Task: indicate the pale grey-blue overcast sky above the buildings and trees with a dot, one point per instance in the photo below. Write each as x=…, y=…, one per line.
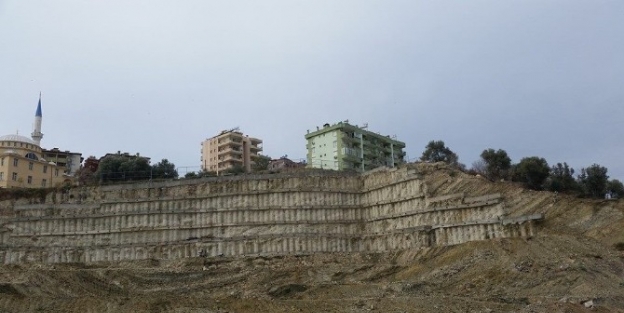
x=535, y=78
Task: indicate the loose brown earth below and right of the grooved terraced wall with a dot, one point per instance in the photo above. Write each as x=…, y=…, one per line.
x=575, y=263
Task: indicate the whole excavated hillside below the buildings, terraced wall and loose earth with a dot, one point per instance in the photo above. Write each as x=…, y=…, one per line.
x=417, y=238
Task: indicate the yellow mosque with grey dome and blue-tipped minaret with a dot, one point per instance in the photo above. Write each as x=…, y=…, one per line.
x=23, y=163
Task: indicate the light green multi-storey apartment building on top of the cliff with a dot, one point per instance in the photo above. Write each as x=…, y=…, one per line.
x=343, y=146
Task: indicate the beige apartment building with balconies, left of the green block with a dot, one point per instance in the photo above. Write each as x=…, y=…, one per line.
x=229, y=149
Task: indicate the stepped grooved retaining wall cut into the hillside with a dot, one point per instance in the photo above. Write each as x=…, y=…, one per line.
x=297, y=213
